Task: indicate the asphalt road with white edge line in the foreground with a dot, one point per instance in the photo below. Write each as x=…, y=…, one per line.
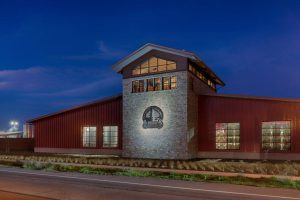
x=34, y=184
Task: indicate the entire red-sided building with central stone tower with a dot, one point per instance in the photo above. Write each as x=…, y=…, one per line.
x=170, y=109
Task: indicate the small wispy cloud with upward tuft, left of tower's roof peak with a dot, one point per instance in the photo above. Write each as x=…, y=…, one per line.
x=103, y=53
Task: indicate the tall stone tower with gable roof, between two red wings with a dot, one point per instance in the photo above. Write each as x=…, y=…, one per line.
x=160, y=101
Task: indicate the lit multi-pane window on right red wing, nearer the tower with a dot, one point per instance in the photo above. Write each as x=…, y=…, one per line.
x=227, y=136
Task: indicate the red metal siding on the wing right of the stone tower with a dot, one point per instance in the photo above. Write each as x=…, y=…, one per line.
x=250, y=113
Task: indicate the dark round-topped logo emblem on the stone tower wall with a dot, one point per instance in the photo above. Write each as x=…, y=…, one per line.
x=153, y=118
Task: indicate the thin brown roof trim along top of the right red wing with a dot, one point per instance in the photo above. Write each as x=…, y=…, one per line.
x=292, y=100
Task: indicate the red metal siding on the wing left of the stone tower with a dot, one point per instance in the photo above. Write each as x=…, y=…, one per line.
x=64, y=130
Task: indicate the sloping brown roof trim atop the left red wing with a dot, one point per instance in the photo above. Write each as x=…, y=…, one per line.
x=103, y=100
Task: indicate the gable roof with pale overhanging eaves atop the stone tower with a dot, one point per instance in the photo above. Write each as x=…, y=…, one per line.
x=119, y=66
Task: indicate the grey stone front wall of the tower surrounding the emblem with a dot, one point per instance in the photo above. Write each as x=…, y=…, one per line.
x=169, y=142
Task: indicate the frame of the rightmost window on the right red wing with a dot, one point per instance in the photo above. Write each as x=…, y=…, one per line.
x=276, y=150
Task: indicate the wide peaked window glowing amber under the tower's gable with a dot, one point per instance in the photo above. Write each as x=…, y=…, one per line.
x=154, y=65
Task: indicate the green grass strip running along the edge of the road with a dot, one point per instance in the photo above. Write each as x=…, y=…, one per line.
x=239, y=180
